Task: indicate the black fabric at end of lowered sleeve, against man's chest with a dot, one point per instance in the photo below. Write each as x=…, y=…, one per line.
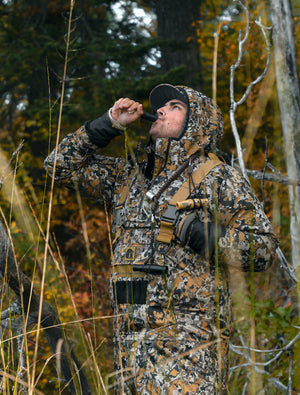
x=201, y=237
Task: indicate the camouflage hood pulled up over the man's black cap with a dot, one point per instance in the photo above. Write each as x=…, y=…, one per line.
x=202, y=129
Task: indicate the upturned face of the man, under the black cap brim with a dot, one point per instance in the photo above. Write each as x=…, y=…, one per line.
x=170, y=120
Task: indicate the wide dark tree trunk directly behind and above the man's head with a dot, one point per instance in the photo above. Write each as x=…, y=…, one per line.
x=177, y=24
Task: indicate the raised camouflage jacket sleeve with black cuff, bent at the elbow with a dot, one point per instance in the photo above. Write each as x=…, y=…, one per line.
x=77, y=165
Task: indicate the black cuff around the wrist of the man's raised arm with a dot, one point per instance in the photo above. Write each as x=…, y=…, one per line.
x=101, y=131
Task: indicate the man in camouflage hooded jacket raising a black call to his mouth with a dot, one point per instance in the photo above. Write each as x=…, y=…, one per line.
x=179, y=218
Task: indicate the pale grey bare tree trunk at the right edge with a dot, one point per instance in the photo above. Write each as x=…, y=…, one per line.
x=289, y=102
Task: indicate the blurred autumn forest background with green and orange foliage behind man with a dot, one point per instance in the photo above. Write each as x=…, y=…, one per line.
x=123, y=49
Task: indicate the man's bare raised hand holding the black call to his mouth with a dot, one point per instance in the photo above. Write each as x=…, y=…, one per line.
x=125, y=111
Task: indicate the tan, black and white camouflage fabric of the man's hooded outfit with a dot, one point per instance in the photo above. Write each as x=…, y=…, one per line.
x=171, y=330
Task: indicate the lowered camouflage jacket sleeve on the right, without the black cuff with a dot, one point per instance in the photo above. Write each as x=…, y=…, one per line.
x=249, y=242
